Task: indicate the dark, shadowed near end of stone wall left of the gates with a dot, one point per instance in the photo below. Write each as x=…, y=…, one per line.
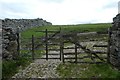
x=9, y=44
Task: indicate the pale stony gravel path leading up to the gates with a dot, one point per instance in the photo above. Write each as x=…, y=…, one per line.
x=40, y=69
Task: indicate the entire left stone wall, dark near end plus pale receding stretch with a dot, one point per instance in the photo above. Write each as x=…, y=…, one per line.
x=10, y=28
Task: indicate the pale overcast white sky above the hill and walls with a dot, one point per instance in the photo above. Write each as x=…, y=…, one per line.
x=61, y=12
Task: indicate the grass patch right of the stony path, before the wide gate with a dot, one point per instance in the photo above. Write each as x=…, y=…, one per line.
x=68, y=70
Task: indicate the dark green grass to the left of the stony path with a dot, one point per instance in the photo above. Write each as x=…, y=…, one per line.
x=9, y=68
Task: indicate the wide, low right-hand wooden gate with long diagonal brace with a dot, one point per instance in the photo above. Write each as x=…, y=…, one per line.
x=78, y=53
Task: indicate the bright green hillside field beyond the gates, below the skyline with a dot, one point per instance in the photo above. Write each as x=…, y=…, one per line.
x=103, y=27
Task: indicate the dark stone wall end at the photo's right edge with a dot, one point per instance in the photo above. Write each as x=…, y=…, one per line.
x=115, y=42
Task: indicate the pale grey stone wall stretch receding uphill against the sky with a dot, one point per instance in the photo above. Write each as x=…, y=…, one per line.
x=24, y=24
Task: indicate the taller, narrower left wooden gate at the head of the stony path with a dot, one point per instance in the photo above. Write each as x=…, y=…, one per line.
x=51, y=43
